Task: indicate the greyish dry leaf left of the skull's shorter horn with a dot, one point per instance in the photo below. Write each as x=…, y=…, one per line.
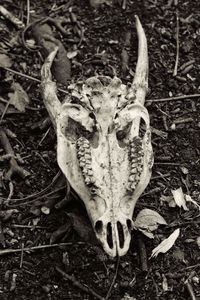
x=19, y=98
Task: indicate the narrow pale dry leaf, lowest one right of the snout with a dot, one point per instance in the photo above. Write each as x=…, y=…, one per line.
x=166, y=244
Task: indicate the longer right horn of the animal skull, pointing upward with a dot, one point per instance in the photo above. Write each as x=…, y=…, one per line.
x=140, y=81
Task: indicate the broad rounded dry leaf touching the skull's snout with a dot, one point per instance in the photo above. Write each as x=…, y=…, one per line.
x=148, y=220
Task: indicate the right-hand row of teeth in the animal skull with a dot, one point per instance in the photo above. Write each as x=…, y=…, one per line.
x=136, y=165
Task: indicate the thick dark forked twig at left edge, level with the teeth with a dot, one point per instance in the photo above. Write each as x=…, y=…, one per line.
x=14, y=167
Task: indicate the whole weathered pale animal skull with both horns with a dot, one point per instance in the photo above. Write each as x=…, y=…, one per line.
x=101, y=149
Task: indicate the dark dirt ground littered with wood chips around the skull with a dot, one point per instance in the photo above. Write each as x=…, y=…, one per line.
x=35, y=274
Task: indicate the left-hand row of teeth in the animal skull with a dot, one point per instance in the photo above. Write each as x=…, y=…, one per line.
x=85, y=160
